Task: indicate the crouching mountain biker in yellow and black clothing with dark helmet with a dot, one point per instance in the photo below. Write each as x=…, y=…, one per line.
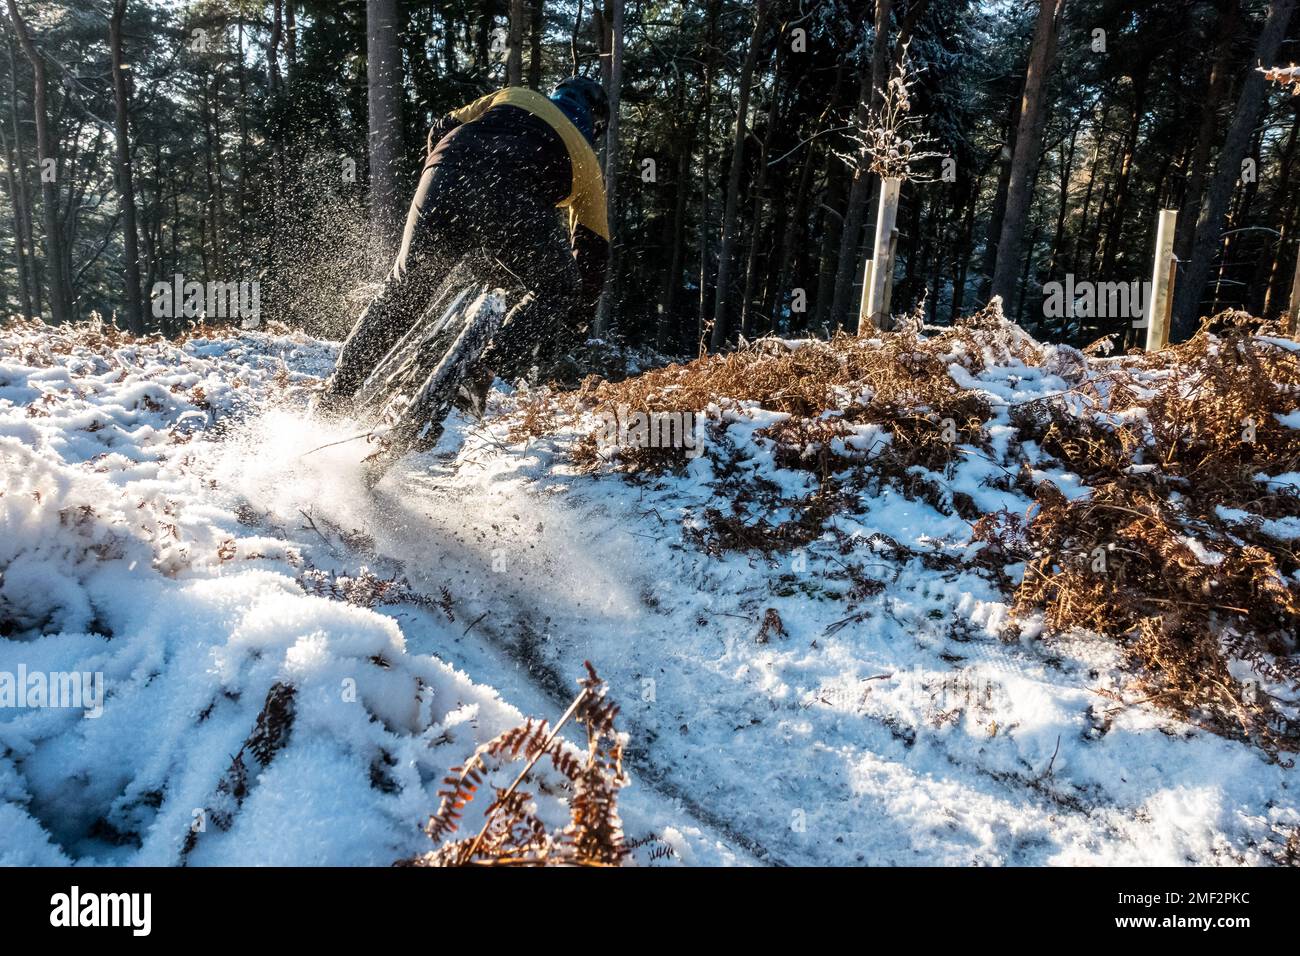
x=496, y=174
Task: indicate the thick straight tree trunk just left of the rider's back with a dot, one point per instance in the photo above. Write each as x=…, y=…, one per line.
x=384, y=84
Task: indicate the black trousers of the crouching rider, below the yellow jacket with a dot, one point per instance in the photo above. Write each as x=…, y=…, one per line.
x=463, y=209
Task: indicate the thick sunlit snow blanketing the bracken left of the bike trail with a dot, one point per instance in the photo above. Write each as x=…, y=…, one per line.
x=122, y=557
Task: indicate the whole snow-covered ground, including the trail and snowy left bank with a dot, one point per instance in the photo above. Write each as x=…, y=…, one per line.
x=174, y=520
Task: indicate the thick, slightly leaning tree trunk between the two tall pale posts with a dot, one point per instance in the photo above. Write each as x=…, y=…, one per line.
x=1029, y=137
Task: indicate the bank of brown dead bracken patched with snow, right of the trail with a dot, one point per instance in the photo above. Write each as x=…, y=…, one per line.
x=1182, y=547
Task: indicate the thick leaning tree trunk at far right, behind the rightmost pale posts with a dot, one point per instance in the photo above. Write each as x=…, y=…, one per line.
x=1188, y=296
